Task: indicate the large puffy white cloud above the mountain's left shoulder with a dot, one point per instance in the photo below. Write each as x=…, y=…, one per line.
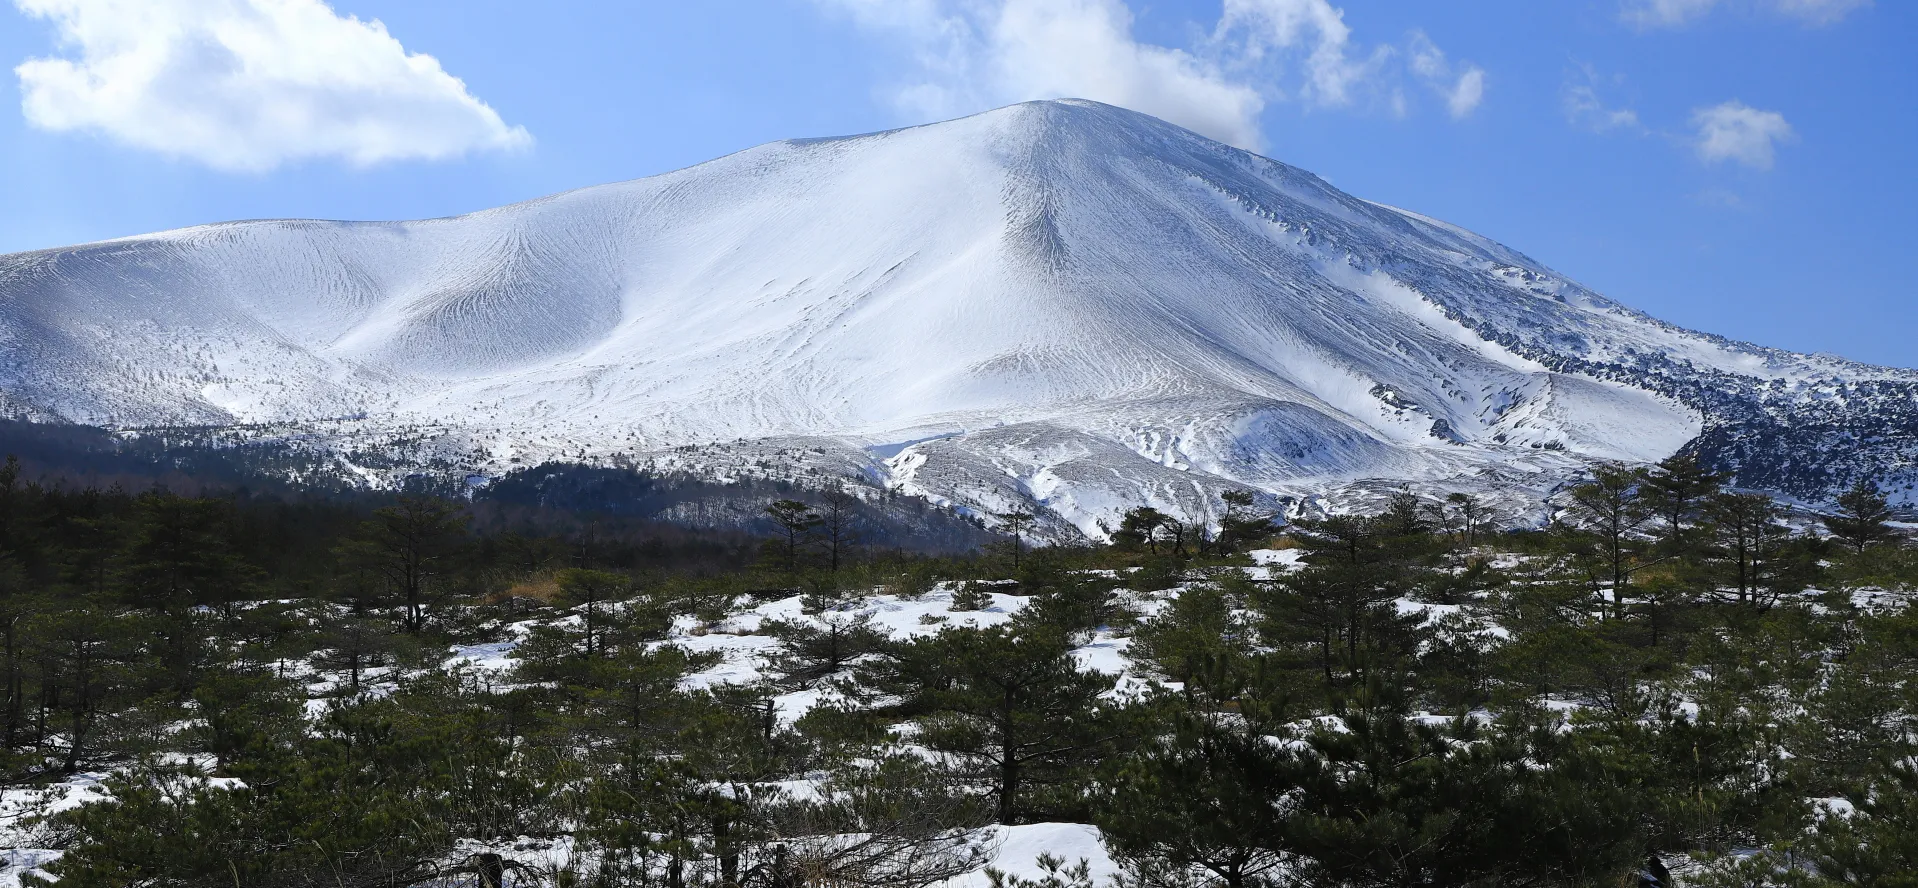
x=246, y=85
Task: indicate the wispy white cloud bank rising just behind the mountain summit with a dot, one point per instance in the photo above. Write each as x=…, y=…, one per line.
x=973, y=55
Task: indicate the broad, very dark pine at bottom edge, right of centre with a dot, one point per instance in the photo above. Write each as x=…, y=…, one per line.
x=1388, y=801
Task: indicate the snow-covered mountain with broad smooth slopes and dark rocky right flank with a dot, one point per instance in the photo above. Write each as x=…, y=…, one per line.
x=1058, y=302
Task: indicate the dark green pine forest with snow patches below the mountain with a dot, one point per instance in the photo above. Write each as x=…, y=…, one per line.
x=1668, y=684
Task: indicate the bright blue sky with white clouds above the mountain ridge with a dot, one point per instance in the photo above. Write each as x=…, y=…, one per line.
x=1731, y=166
